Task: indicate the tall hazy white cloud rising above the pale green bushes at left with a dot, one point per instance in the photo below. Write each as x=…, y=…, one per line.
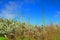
x=9, y=10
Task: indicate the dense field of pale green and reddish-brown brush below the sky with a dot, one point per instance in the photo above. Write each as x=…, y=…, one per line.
x=15, y=30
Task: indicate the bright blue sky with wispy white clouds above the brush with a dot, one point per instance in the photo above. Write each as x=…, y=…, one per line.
x=32, y=9
